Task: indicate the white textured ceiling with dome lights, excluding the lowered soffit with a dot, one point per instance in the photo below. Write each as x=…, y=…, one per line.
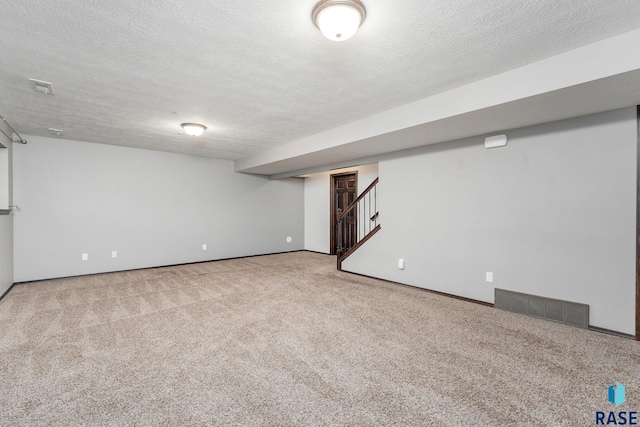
x=258, y=73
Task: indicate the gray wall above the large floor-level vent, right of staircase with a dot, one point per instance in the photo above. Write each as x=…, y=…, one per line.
x=552, y=214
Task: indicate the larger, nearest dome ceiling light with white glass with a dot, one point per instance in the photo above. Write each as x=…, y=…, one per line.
x=338, y=20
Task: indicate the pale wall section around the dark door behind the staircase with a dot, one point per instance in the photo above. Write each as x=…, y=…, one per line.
x=317, y=188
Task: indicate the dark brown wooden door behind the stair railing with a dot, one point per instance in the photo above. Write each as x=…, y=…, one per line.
x=344, y=190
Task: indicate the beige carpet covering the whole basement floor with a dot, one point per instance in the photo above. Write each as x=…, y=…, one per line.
x=288, y=340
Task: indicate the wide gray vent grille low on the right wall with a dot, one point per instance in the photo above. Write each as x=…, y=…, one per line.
x=570, y=313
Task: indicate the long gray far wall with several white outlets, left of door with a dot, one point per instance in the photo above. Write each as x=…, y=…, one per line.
x=153, y=208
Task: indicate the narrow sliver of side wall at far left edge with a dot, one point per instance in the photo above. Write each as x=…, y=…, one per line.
x=6, y=222
